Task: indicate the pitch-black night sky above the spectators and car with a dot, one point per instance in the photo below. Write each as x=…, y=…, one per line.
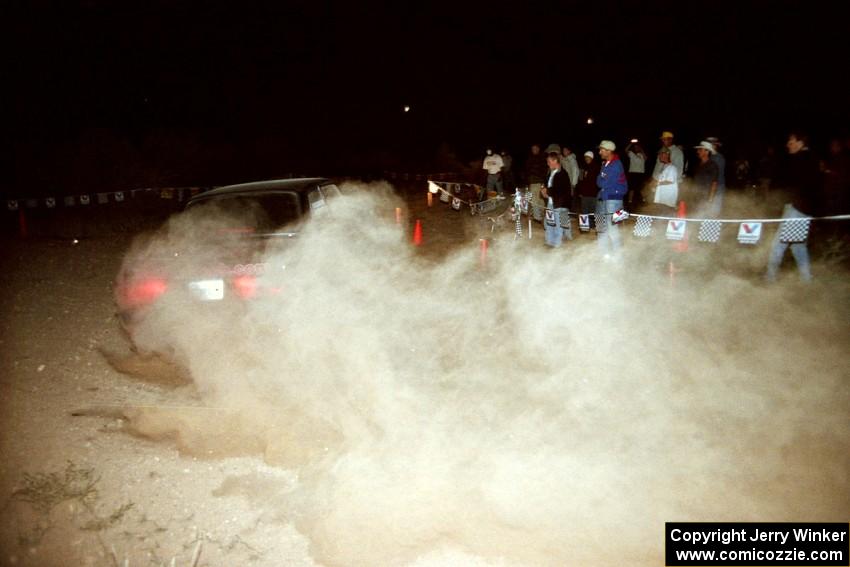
x=323, y=84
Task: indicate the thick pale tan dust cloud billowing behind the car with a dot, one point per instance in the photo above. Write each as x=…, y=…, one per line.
x=548, y=410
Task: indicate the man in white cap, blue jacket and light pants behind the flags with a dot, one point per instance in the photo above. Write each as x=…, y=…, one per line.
x=612, y=189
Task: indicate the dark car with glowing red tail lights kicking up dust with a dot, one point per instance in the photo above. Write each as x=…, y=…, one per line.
x=216, y=257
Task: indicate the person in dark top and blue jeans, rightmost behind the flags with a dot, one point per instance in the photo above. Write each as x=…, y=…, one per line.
x=800, y=177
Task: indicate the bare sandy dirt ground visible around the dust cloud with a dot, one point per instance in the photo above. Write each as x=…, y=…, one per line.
x=78, y=487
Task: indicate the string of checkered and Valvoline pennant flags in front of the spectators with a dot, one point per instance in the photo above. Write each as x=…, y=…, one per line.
x=749, y=230
